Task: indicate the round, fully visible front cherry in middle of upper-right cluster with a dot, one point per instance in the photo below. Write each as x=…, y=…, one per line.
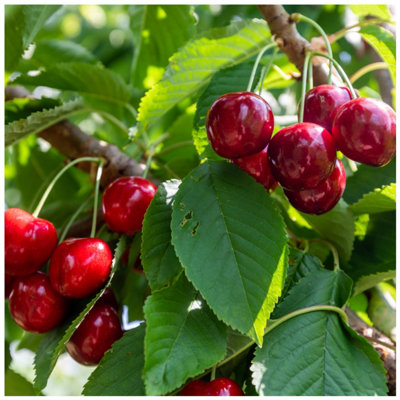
x=301, y=156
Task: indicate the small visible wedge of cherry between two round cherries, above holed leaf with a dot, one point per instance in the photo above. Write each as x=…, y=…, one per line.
x=256, y=165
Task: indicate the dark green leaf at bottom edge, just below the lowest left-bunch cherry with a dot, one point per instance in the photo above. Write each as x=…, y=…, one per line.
x=120, y=371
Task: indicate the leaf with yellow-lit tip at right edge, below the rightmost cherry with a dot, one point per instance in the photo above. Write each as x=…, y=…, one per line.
x=380, y=200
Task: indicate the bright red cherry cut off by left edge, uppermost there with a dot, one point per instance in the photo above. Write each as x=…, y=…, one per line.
x=29, y=242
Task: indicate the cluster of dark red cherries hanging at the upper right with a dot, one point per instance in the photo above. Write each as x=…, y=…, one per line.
x=302, y=157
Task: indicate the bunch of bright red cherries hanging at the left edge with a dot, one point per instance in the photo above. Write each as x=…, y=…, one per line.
x=78, y=268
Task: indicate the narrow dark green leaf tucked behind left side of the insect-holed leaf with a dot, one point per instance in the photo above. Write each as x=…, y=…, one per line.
x=159, y=260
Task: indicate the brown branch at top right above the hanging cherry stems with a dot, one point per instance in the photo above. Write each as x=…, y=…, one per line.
x=294, y=45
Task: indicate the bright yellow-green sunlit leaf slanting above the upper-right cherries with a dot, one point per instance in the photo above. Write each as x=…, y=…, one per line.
x=193, y=66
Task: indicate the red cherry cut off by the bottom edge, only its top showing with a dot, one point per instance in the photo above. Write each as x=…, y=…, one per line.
x=217, y=387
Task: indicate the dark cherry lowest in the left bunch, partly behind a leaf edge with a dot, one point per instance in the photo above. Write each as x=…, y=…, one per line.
x=95, y=335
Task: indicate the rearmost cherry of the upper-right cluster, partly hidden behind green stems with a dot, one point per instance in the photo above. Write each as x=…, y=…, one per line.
x=322, y=102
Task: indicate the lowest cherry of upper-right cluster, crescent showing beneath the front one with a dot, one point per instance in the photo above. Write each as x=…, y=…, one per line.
x=322, y=198
